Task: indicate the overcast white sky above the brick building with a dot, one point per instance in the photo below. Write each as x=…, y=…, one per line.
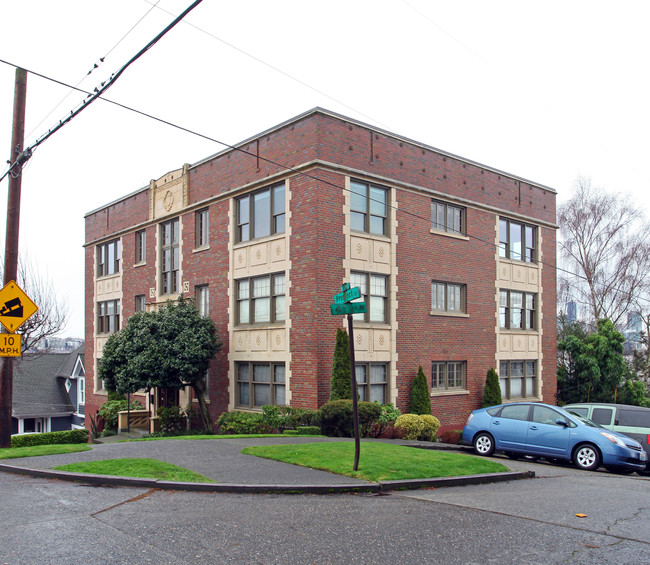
x=548, y=91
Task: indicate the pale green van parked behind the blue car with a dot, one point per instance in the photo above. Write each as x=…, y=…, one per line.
x=632, y=421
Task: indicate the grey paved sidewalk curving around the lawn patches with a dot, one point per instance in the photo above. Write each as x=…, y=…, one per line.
x=222, y=461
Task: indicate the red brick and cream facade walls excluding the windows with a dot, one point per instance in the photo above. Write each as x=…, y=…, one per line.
x=316, y=155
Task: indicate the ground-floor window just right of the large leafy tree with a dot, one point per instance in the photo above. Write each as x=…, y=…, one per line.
x=259, y=384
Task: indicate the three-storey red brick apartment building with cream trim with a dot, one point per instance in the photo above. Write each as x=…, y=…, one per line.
x=455, y=260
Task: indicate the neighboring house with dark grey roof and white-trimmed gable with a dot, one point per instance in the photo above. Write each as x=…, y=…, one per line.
x=48, y=392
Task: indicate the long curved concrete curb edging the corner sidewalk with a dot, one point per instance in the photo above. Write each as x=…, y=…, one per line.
x=372, y=488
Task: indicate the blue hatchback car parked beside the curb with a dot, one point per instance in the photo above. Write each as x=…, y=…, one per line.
x=541, y=430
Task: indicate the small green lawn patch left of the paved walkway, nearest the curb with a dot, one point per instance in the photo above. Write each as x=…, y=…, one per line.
x=142, y=468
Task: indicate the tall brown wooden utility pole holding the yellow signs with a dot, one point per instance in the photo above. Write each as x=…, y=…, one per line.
x=16, y=159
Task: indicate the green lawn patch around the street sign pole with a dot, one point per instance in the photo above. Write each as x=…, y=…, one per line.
x=378, y=461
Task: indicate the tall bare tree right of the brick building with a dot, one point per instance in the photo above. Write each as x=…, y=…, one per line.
x=605, y=240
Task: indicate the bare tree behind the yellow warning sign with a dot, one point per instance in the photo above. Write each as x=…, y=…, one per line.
x=52, y=314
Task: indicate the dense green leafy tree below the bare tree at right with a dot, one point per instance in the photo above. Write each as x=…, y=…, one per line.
x=591, y=366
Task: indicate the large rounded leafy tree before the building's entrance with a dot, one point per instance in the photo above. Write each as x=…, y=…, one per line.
x=171, y=347
